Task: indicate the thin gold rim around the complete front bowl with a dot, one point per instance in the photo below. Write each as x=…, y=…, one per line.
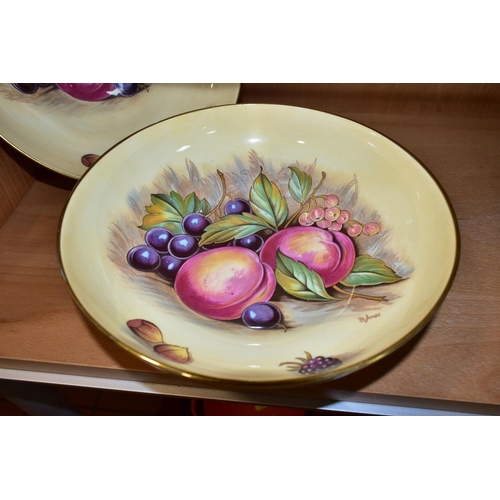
x=332, y=375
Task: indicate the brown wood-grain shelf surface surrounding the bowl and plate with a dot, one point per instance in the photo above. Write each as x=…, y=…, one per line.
x=455, y=358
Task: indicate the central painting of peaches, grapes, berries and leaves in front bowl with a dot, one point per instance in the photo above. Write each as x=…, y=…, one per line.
x=236, y=260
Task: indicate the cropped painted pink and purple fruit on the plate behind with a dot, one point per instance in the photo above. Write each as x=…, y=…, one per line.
x=85, y=91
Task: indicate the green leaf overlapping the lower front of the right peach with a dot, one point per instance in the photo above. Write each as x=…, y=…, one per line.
x=300, y=281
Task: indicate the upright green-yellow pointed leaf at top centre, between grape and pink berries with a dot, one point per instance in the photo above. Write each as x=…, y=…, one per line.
x=267, y=202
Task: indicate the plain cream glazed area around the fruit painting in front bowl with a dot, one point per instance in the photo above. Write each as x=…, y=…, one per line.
x=418, y=238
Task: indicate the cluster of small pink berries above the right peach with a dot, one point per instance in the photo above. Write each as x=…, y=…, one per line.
x=332, y=218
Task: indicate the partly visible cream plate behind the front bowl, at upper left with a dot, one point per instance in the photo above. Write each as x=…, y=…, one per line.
x=66, y=127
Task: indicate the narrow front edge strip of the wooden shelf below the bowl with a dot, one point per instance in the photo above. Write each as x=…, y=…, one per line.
x=159, y=384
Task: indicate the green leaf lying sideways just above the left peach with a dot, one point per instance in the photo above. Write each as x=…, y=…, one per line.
x=232, y=226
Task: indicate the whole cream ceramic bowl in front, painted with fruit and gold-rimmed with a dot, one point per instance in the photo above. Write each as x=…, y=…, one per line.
x=258, y=244
